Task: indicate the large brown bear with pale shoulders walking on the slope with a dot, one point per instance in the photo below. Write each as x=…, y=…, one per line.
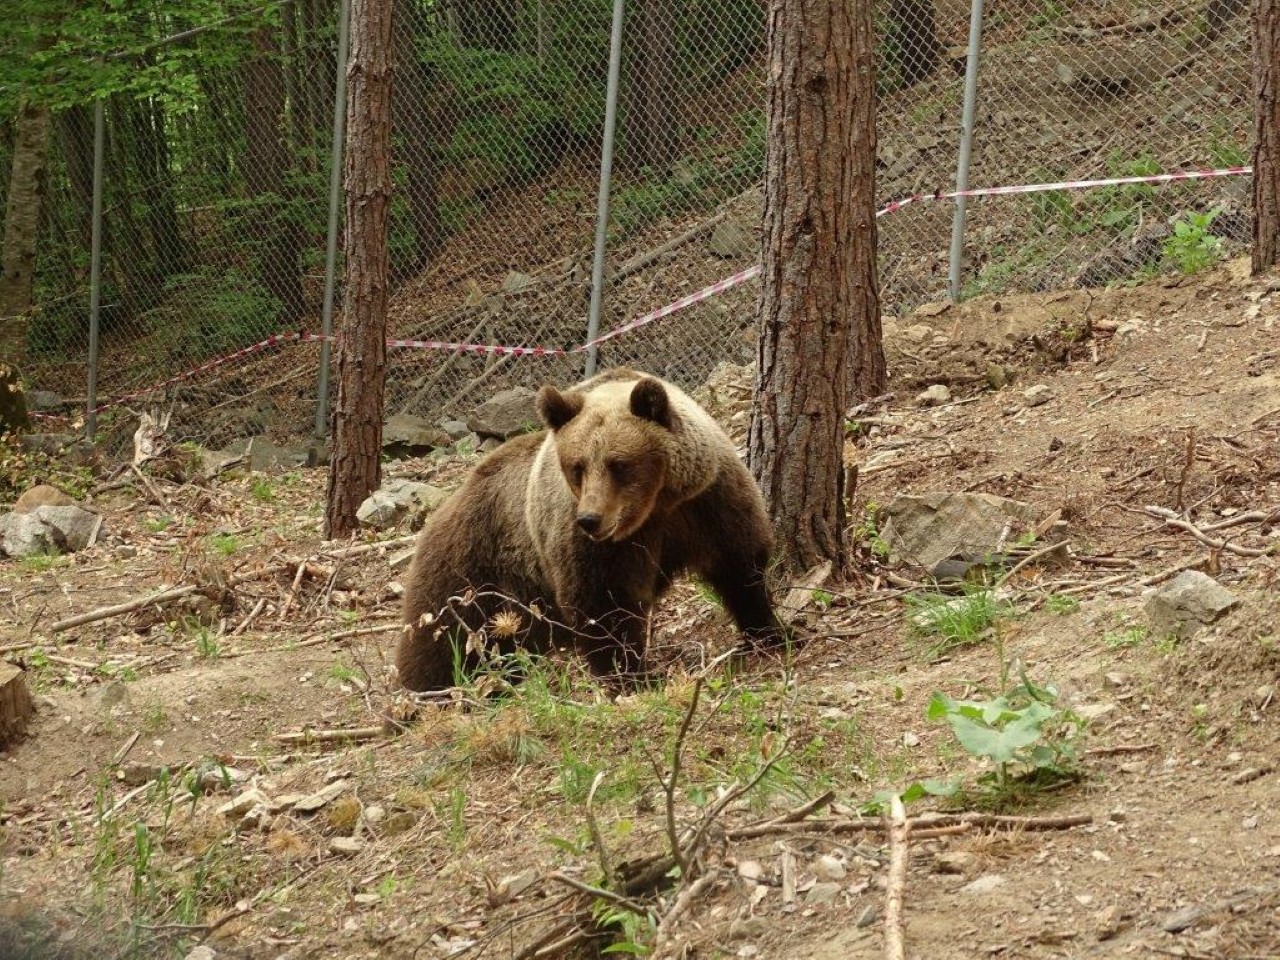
x=574, y=533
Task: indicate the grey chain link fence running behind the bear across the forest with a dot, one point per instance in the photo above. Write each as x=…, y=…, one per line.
x=217, y=188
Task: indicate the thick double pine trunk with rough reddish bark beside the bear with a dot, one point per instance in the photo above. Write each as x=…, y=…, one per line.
x=820, y=305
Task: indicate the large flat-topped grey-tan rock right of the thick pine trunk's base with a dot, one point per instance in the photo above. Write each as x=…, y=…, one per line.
x=929, y=529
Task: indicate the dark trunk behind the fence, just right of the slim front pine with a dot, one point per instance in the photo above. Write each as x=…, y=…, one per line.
x=420, y=118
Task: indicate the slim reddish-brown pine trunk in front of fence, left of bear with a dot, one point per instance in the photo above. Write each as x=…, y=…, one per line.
x=358, y=436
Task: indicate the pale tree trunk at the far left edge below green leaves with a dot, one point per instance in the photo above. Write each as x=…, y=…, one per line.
x=28, y=184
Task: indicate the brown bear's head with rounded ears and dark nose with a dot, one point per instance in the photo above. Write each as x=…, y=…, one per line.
x=612, y=445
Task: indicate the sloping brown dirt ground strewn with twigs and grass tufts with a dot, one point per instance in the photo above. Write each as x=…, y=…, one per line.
x=450, y=829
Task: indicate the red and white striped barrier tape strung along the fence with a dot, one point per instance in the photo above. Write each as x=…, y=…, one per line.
x=684, y=303
